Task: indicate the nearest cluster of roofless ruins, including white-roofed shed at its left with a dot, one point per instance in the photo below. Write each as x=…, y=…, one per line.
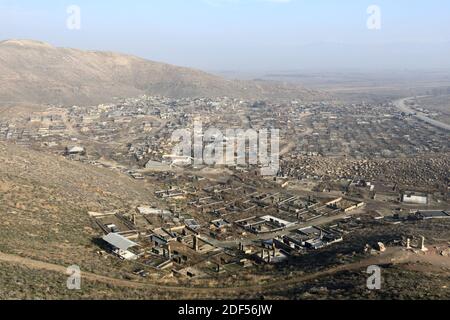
x=217, y=231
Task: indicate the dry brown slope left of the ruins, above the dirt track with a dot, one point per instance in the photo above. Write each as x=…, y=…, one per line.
x=44, y=200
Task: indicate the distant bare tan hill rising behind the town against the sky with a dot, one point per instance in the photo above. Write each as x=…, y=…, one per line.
x=36, y=72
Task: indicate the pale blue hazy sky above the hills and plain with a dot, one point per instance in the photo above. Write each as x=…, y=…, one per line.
x=246, y=35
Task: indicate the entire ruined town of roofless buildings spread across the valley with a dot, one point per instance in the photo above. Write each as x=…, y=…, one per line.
x=204, y=221
